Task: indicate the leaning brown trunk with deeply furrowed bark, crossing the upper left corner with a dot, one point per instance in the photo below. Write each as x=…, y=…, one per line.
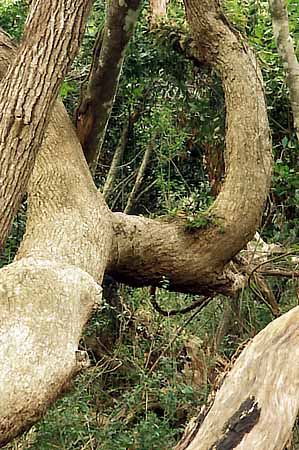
x=28, y=91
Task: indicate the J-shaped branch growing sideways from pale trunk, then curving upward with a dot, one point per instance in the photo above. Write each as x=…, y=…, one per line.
x=148, y=251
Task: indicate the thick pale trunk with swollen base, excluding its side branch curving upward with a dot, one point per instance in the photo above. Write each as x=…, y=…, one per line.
x=48, y=293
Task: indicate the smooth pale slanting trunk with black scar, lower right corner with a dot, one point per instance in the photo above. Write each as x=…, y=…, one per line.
x=266, y=377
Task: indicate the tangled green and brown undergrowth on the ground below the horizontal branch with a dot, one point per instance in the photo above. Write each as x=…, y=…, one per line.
x=139, y=391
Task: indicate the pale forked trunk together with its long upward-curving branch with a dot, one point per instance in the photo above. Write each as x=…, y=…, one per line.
x=48, y=292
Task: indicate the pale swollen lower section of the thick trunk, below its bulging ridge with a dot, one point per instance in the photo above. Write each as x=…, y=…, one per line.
x=39, y=334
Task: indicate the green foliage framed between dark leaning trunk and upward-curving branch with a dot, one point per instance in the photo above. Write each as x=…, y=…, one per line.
x=180, y=105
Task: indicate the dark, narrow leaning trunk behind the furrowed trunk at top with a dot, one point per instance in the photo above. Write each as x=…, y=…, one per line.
x=94, y=111
